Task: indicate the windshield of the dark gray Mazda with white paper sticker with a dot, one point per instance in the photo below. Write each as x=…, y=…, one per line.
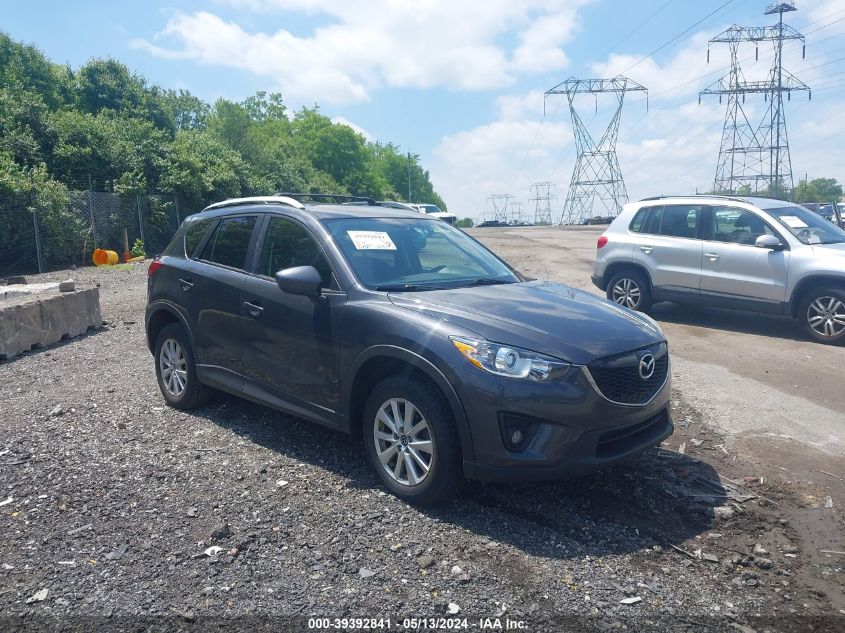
x=415, y=255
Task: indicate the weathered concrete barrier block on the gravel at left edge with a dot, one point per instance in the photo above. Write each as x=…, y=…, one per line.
x=38, y=319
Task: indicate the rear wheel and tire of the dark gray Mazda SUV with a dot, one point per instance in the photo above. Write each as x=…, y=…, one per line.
x=173, y=349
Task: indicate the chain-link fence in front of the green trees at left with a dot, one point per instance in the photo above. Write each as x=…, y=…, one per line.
x=44, y=233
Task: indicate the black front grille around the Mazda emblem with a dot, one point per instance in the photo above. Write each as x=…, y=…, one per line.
x=618, y=377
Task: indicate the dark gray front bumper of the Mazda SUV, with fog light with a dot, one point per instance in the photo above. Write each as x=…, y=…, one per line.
x=574, y=428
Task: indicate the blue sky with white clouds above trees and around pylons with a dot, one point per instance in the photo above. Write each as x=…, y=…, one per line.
x=460, y=82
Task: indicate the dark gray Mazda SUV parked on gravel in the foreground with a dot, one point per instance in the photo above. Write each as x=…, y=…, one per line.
x=403, y=330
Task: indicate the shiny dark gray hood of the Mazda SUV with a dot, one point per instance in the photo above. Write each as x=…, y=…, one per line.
x=552, y=319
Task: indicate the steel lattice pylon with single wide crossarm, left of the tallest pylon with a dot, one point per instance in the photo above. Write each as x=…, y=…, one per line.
x=597, y=176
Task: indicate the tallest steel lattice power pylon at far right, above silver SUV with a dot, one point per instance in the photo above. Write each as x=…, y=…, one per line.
x=754, y=157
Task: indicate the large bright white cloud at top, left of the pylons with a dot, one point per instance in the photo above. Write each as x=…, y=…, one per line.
x=368, y=43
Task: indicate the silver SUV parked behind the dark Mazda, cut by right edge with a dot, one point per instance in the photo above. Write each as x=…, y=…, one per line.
x=728, y=252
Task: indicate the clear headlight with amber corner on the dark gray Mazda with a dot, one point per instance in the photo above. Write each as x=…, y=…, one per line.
x=504, y=360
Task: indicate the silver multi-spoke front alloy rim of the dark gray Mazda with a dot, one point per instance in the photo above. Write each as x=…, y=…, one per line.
x=403, y=441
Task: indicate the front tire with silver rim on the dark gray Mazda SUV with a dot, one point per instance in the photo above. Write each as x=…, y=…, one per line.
x=403, y=450
